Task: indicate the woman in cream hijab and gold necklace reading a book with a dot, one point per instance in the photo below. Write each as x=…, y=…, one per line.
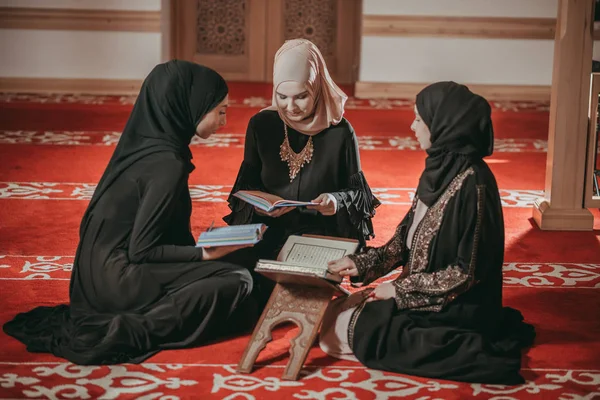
x=302, y=148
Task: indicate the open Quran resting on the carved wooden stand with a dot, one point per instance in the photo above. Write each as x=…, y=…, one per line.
x=304, y=259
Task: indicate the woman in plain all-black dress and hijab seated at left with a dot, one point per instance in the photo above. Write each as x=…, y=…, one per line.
x=139, y=285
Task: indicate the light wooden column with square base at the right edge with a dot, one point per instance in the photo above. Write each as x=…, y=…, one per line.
x=562, y=206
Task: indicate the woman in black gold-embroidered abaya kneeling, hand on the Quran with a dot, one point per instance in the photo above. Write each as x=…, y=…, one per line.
x=443, y=316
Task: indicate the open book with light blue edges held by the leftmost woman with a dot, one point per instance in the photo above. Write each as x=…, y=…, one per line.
x=236, y=235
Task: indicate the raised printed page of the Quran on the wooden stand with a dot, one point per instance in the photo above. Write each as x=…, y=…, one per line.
x=315, y=252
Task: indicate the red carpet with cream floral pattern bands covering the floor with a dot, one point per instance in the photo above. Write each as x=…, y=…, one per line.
x=53, y=150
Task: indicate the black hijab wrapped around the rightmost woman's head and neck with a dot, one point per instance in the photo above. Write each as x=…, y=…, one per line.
x=461, y=135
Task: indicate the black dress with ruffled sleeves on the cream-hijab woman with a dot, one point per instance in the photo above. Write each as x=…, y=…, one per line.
x=334, y=168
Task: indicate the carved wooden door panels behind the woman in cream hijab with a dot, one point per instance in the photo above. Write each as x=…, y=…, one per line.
x=239, y=38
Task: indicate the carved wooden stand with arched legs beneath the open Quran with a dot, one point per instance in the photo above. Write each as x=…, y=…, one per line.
x=303, y=305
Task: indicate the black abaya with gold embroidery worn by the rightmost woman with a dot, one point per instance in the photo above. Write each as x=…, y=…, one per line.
x=447, y=319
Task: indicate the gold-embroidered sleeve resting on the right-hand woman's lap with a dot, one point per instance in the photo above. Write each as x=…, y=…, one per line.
x=431, y=291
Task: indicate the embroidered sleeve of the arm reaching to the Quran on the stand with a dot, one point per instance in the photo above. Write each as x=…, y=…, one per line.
x=376, y=262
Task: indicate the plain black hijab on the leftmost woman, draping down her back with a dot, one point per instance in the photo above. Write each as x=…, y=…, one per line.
x=174, y=98
